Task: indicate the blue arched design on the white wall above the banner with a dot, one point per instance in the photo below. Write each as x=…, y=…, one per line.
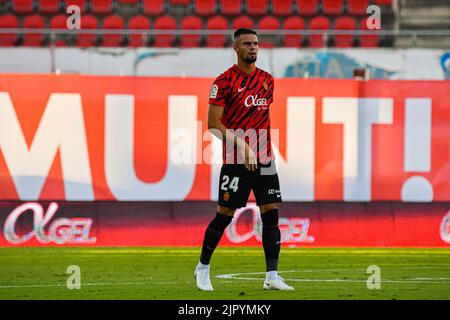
x=332, y=65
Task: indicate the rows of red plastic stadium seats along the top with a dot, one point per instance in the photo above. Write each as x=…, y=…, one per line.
x=192, y=14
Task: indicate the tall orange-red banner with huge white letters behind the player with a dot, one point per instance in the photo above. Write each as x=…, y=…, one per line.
x=89, y=138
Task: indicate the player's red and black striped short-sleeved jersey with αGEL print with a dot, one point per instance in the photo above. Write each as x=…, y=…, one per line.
x=246, y=99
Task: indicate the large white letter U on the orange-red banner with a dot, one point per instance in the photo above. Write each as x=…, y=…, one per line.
x=119, y=151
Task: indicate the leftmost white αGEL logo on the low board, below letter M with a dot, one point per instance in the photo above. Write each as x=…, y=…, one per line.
x=60, y=231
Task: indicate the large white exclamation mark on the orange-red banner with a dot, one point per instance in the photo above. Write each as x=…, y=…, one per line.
x=417, y=150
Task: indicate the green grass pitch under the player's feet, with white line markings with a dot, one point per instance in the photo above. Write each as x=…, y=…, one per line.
x=167, y=273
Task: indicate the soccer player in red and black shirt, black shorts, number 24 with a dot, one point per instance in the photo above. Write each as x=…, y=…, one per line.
x=239, y=114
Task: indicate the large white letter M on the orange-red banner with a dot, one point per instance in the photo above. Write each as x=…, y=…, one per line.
x=62, y=129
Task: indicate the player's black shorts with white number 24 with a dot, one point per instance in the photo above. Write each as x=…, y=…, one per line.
x=236, y=182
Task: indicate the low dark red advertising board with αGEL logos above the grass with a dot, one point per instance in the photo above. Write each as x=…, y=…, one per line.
x=332, y=224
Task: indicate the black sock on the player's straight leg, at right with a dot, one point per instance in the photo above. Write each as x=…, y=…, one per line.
x=271, y=239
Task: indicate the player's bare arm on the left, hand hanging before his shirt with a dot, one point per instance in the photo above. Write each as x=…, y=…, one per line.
x=217, y=128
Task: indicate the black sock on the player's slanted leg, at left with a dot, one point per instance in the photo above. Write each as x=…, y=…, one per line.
x=213, y=234
